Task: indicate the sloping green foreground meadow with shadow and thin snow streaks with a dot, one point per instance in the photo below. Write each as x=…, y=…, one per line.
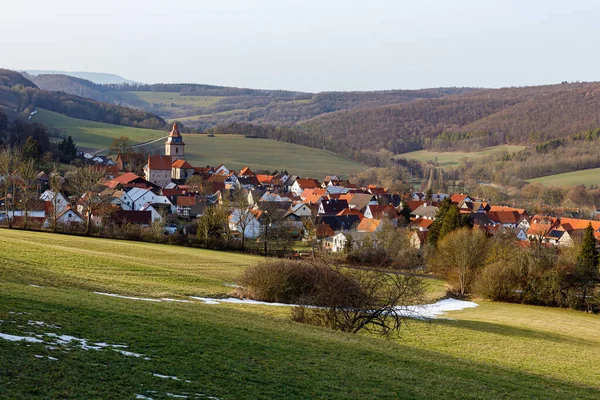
x=253, y=352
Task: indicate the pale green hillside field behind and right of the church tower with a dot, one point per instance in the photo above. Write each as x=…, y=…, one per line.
x=237, y=151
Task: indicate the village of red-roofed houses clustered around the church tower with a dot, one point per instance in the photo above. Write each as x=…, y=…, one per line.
x=333, y=209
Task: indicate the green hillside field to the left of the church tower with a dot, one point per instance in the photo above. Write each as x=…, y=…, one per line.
x=91, y=135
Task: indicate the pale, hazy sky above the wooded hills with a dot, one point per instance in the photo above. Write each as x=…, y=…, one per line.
x=309, y=45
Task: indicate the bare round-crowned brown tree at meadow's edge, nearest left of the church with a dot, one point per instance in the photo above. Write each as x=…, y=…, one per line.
x=87, y=183
